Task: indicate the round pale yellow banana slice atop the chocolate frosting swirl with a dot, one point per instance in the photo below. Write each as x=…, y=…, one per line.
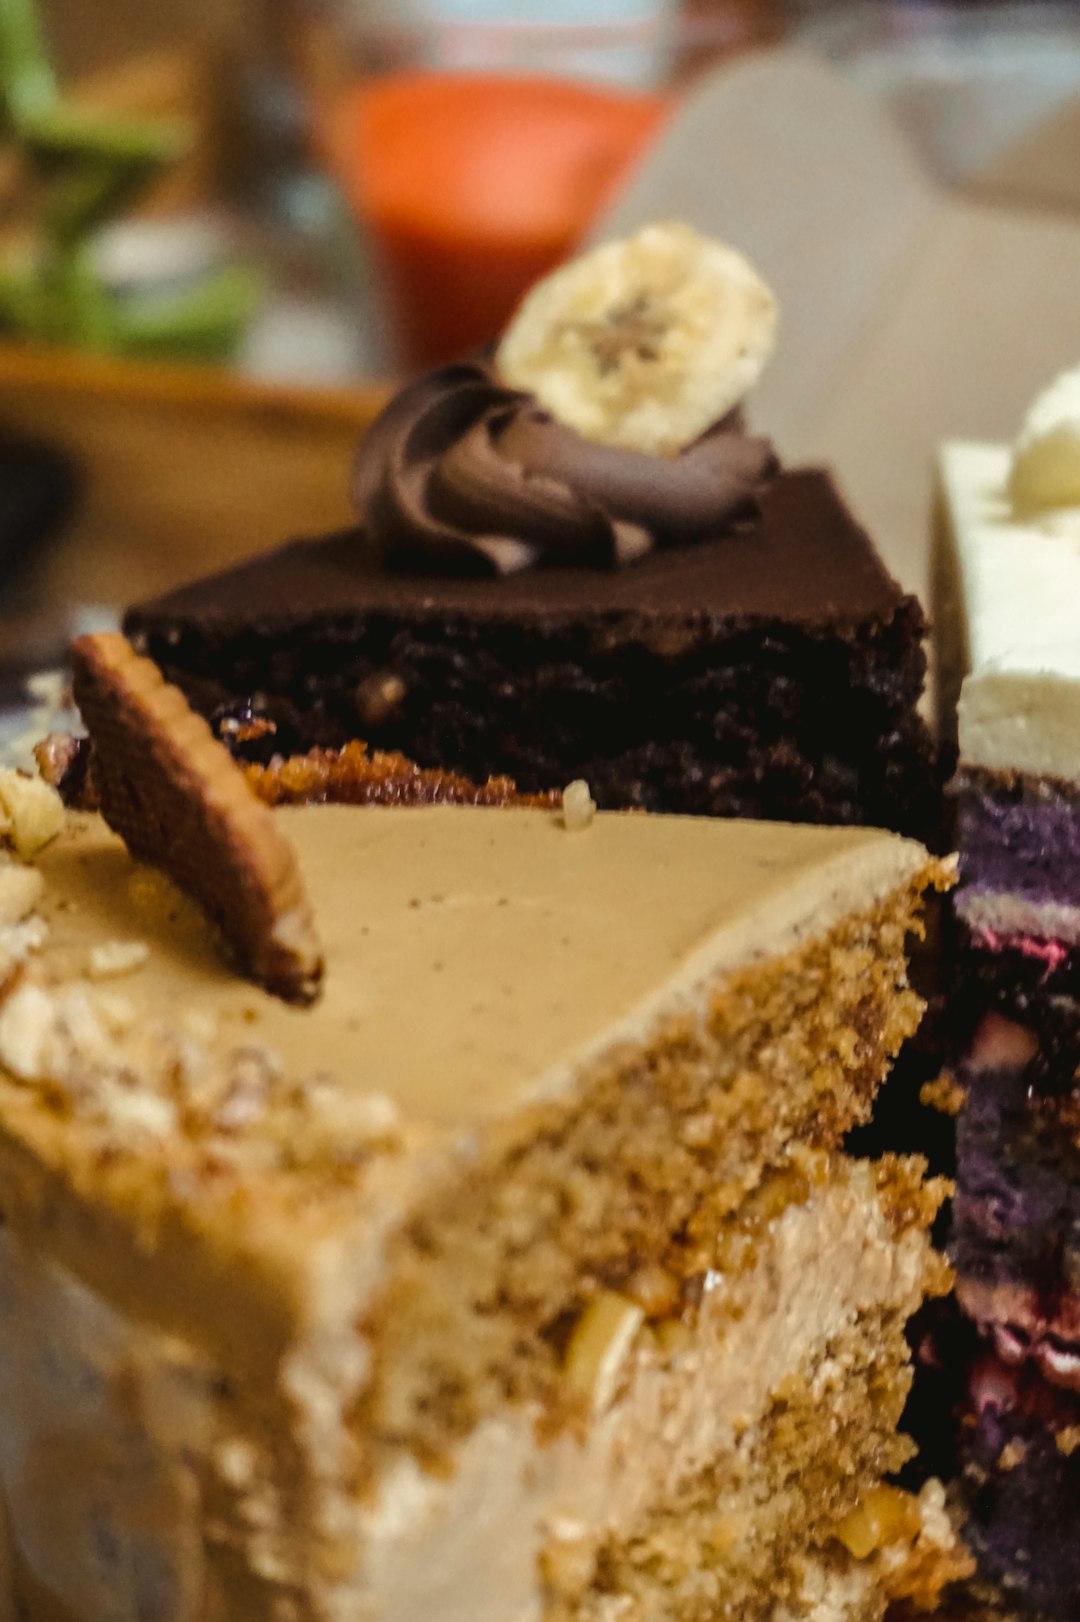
x=643, y=343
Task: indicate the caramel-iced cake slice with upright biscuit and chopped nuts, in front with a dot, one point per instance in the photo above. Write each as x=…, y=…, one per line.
x=518, y=1272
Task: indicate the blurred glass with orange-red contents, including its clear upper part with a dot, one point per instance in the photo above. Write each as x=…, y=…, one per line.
x=478, y=142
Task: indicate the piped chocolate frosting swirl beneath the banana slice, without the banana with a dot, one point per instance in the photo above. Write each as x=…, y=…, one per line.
x=465, y=476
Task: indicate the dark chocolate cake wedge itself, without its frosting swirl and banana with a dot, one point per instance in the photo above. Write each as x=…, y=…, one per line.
x=773, y=672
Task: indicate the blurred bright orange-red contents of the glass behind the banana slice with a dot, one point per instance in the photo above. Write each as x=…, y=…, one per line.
x=471, y=186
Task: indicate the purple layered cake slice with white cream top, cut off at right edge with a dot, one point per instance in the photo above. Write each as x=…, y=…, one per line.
x=1013, y=549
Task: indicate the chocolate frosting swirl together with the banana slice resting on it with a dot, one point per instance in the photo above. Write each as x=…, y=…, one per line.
x=606, y=424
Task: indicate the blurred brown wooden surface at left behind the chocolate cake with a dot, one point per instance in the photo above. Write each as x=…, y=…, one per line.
x=184, y=471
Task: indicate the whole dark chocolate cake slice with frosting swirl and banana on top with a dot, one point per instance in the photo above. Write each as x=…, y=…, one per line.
x=575, y=560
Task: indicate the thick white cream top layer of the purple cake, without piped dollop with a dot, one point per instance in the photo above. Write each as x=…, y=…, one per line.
x=1019, y=599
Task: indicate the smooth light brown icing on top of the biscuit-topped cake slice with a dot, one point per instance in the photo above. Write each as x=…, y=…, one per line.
x=476, y=961
